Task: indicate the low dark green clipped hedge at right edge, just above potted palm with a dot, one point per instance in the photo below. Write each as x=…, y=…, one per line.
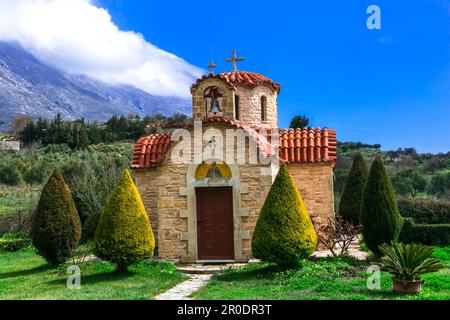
x=428, y=234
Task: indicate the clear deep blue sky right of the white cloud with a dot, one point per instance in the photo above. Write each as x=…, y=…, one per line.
x=388, y=86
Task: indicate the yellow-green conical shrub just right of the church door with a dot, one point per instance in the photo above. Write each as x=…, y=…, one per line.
x=284, y=233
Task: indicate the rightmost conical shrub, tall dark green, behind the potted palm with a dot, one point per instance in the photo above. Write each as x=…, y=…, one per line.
x=380, y=217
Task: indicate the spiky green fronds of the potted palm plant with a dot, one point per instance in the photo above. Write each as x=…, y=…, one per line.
x=408, y=261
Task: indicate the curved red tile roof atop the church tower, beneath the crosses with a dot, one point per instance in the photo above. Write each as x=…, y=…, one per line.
x=245, y=78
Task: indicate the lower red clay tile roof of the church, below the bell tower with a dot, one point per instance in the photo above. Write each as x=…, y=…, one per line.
x=296, y=145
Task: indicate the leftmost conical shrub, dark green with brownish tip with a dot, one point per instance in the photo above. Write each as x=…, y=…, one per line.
x=56, y=227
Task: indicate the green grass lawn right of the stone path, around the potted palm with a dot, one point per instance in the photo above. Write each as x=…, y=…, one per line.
x=322, y=279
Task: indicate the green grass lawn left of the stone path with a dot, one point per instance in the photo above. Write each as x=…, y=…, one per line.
x=25, y=275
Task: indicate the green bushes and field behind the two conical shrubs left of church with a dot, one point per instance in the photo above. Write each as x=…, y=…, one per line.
x=91, y=175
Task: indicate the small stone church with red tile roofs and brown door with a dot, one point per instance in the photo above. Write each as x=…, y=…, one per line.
x=206, y=210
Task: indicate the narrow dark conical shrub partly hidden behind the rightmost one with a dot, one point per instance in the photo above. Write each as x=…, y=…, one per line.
x=351, y=199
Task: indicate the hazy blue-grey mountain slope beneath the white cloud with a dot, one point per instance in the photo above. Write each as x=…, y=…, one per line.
x=28, y=86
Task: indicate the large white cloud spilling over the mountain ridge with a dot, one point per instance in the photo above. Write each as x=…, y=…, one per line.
x=78, y=37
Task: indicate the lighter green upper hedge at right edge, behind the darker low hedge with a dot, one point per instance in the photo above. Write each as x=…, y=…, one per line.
x=425, y=211
